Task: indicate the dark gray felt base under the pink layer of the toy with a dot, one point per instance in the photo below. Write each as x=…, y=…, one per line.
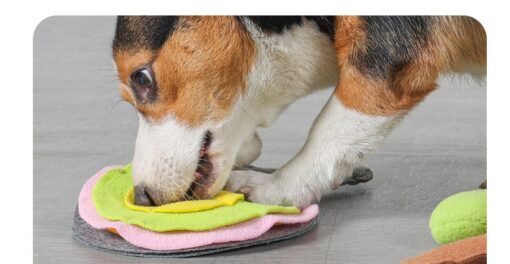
x=106, y=241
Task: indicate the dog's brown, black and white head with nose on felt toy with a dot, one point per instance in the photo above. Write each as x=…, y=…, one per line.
x=186, y=77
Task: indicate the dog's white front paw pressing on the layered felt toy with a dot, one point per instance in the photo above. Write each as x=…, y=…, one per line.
x=266, y=188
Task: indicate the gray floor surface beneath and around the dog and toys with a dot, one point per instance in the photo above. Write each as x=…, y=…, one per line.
x=80, y=126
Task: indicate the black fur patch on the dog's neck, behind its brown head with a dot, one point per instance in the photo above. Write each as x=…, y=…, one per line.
x=277, y=24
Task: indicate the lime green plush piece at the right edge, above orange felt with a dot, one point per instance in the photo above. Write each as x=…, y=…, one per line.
x=460, y=216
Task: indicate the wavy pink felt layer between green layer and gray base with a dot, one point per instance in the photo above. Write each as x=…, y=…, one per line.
x=181, y=240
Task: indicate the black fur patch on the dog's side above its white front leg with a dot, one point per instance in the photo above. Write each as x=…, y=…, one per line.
x=392, y=42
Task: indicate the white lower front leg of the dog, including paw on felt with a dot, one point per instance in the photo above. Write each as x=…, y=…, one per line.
x=338, y=141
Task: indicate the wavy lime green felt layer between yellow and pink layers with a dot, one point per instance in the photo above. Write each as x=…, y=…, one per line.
x=108, y=196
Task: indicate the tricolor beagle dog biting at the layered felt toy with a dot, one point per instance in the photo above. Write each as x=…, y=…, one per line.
x=203, y=85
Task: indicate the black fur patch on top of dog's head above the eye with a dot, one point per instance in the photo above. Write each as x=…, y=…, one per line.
x=143, y=32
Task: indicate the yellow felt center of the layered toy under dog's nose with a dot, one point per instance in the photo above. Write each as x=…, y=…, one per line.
x=224, y=198
